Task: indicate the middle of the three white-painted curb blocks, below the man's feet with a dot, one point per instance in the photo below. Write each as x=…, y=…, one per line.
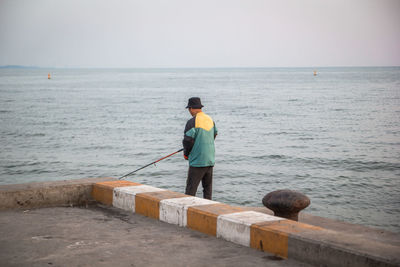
x=174, y=210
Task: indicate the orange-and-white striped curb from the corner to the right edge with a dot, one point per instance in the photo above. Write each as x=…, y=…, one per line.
x=282, y=237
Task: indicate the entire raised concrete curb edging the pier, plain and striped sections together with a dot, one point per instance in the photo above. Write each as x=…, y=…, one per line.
x=312, y=240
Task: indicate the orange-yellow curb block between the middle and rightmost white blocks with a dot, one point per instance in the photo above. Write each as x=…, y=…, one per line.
x=204, y=218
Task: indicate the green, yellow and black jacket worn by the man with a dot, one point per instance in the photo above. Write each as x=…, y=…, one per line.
x=198, y=141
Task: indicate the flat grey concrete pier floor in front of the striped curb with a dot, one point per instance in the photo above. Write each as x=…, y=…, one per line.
x=102, y=236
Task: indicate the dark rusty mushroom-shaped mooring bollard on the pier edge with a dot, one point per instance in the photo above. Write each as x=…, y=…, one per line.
x=286, y=203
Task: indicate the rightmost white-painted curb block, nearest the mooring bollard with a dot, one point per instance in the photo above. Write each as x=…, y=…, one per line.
x=235, y=227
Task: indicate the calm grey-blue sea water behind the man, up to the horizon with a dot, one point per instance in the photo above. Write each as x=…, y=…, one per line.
x=334, y=137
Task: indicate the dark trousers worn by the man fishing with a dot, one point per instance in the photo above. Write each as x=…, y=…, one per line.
x=197, y=174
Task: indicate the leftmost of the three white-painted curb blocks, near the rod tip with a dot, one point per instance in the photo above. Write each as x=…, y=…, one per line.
x=124, y=197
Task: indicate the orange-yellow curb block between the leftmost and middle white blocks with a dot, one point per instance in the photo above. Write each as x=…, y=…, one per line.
x=148, y=204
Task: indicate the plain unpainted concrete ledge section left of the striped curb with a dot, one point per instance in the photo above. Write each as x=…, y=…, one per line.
x=48, y=194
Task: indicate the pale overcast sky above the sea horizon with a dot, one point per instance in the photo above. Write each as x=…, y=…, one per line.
x=203, y=33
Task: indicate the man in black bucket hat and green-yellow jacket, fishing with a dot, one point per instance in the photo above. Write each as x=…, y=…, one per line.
x=198, y=148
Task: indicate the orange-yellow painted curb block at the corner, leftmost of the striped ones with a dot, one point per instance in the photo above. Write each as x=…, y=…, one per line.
x=103, y=191
